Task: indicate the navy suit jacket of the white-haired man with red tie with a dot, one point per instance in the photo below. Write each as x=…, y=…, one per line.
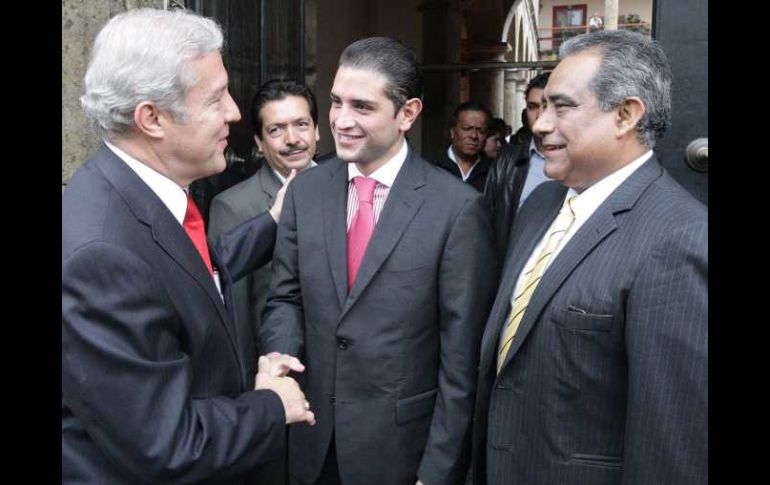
x=152, y=387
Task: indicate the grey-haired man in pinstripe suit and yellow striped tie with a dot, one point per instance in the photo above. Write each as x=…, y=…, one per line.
x=594, y=361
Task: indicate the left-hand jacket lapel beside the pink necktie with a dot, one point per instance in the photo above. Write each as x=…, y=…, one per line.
x=335, y=221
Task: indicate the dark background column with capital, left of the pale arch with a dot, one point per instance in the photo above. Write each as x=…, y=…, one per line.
x=486, y=85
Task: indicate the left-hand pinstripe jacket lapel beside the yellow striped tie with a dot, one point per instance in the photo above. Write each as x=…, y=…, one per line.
x=520, y=246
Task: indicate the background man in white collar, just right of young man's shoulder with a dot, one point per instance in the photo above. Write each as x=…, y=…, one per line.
x=465, y=158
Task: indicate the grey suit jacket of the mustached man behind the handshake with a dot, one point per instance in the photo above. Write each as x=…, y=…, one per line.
x=243, y=201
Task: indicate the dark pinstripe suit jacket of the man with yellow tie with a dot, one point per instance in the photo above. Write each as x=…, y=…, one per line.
x=606, y=381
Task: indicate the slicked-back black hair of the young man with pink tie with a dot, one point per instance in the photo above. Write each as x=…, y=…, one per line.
x=393, y=60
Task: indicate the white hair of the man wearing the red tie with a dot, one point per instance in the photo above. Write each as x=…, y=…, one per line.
x=143, y=55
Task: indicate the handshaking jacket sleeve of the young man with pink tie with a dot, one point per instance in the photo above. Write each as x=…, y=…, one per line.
x=281, y=330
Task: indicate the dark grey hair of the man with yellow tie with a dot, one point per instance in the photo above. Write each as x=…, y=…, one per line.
x=631, y=65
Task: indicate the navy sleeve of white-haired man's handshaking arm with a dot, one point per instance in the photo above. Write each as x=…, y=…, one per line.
x=126, y=376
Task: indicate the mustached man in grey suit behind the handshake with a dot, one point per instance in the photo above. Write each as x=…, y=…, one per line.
x=284, y=116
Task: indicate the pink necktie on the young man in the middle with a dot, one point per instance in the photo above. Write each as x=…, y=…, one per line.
x=362, y=227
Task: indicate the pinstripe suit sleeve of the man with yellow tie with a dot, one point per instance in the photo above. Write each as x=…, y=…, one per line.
x=667, y=343
